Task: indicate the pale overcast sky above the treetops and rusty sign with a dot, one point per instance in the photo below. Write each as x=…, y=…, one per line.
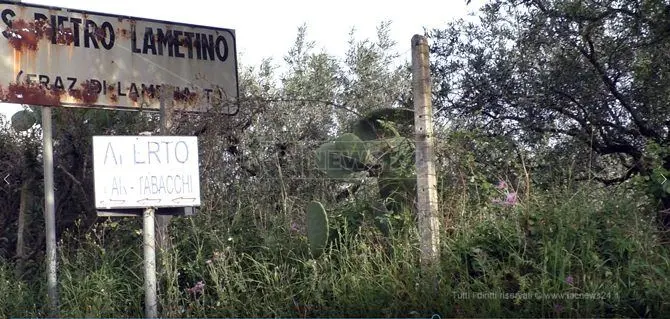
x=268, y=28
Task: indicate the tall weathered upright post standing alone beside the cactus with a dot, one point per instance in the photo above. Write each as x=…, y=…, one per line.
x=429, y=227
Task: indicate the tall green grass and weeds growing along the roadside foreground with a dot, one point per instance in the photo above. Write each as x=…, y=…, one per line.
x=582, y=252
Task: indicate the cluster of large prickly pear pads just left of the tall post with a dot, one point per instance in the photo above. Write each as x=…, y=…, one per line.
x=381, y=146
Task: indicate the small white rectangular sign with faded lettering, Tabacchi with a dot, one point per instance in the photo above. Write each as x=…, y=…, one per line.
x=146, y=171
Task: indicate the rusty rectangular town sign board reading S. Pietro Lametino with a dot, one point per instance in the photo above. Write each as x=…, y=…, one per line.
x=63, y=57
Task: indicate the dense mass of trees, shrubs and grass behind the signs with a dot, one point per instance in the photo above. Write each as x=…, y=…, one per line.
x=551, y=120
